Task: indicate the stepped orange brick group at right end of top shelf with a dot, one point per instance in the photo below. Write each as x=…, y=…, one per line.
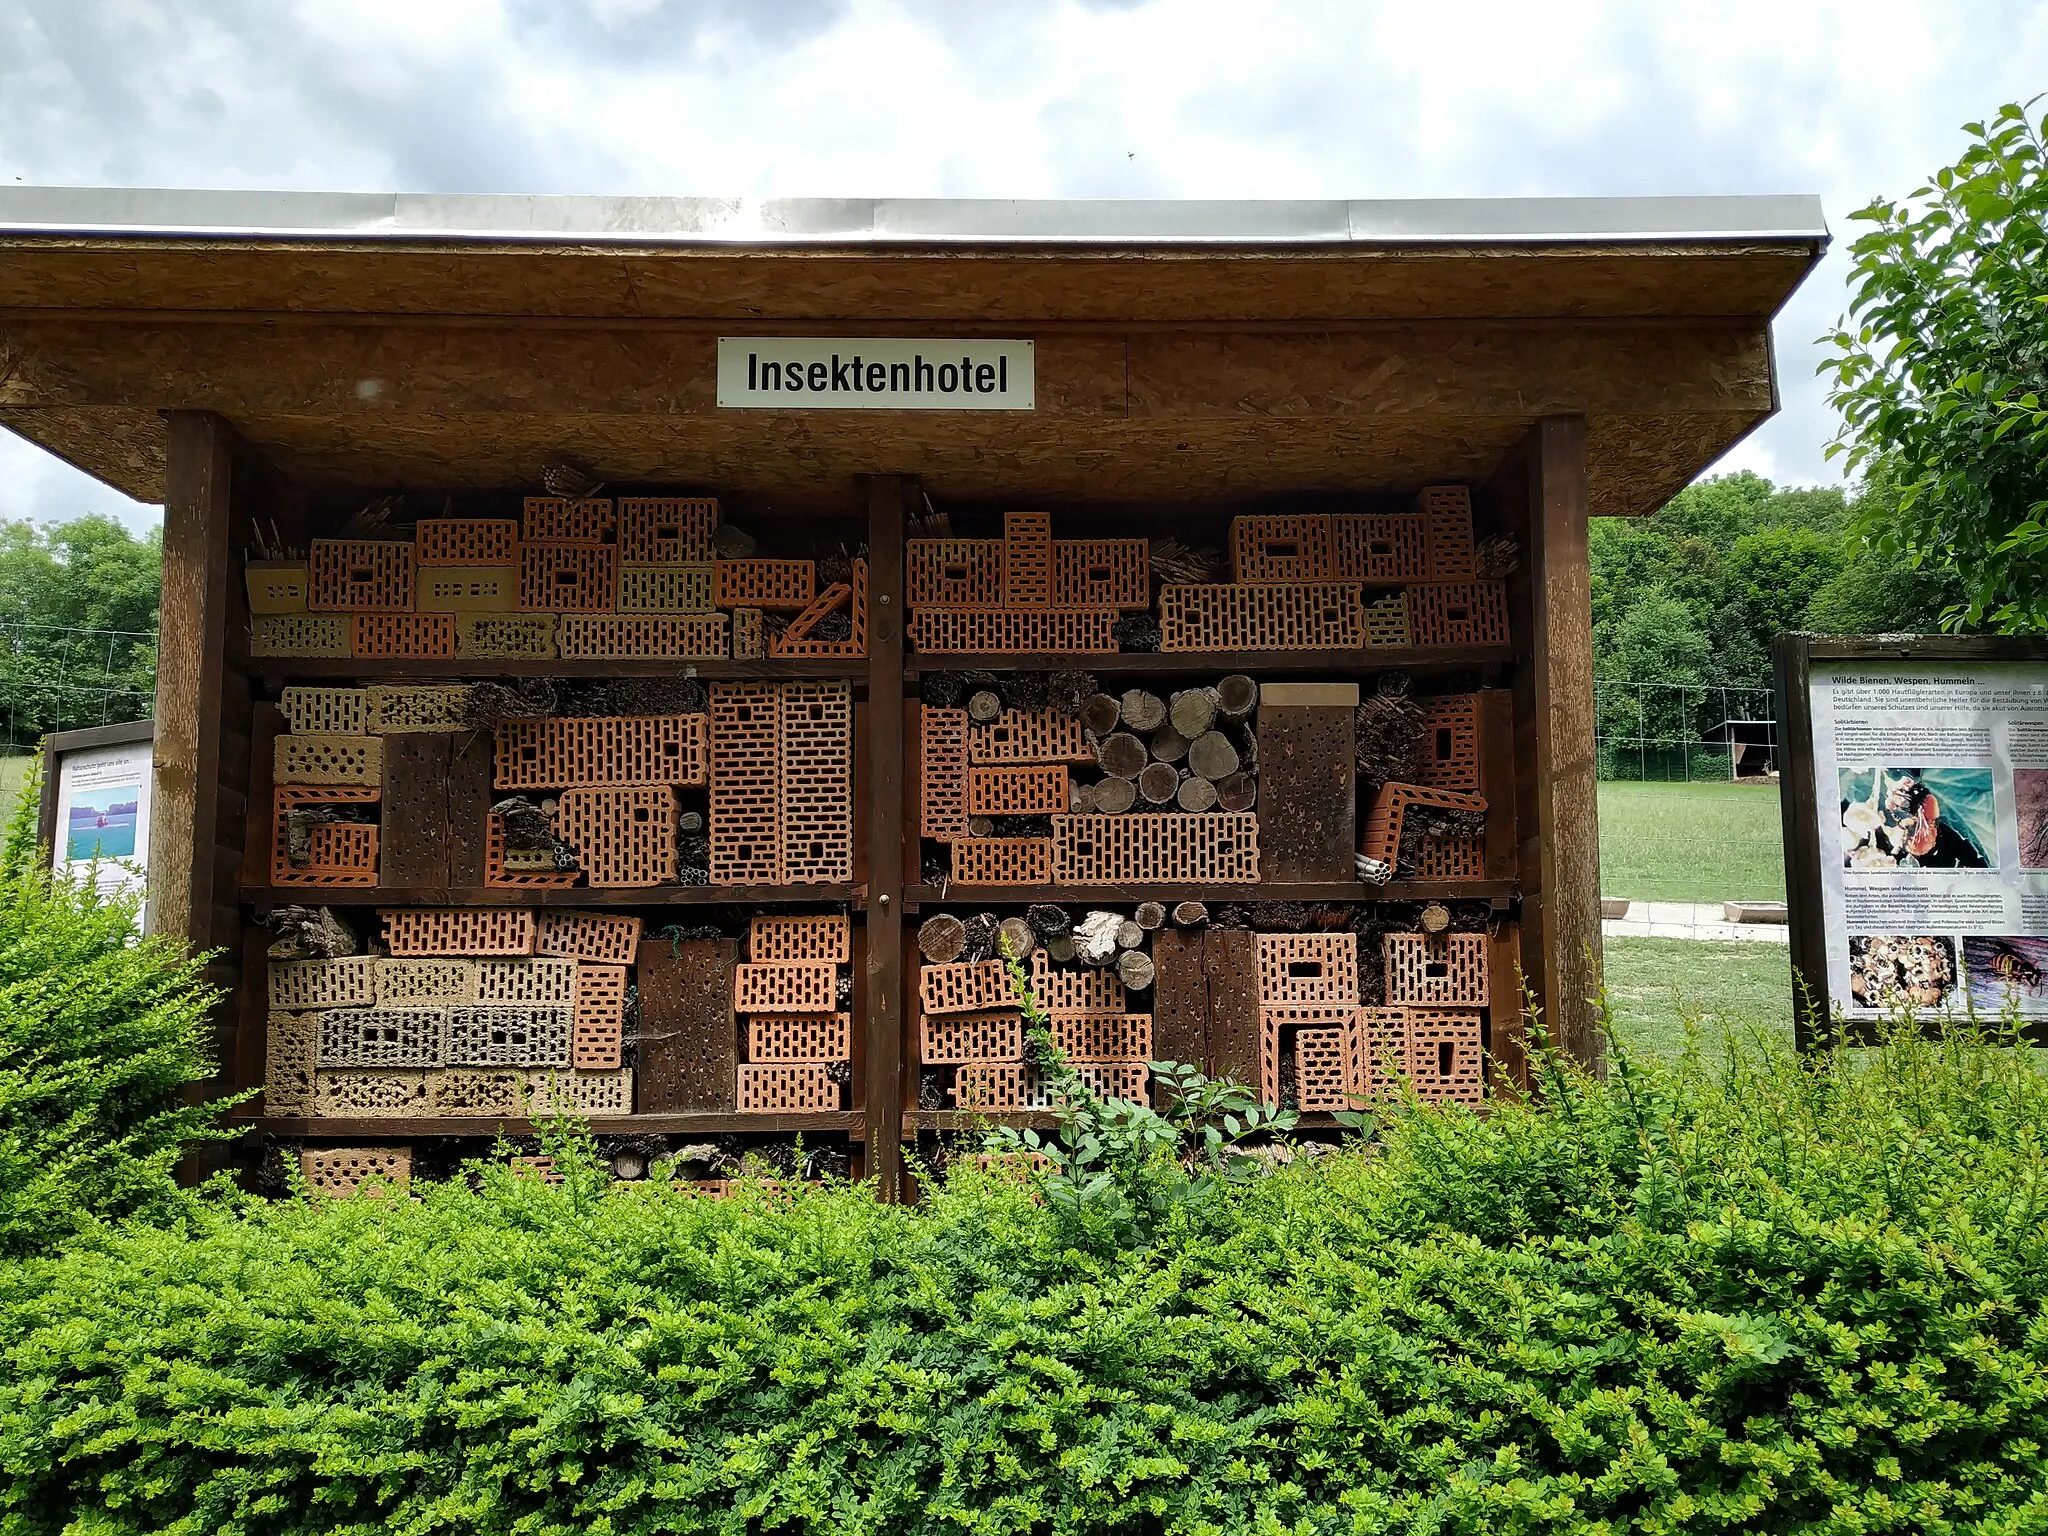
x=1345, y=583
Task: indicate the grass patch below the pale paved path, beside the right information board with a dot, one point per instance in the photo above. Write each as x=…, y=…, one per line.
x=1730, y=988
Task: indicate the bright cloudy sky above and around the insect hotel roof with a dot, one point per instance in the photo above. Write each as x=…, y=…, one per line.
x=1015, y=99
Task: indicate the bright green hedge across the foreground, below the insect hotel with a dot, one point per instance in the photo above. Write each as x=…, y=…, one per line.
x=1682, y=1302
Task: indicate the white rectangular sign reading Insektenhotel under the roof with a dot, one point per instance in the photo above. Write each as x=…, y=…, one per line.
x=873, y=374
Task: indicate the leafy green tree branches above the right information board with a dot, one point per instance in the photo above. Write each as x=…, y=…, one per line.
x=1940, y=372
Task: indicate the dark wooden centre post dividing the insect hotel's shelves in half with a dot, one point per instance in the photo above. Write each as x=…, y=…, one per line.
x=886, y=833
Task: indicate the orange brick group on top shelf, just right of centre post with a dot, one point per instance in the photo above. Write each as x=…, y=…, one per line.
x=1025, y=593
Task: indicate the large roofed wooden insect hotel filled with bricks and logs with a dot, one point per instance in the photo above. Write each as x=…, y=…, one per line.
x=656, y=658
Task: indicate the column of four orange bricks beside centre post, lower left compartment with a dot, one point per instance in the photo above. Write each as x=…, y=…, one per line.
x=796, y=1033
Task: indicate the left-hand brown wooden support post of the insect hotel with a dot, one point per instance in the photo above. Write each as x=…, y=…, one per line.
x=191, y=650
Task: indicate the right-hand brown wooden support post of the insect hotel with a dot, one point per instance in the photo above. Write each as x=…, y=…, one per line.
x=1541, y=495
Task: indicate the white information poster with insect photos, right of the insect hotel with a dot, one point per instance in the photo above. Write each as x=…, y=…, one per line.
x=1932, y=785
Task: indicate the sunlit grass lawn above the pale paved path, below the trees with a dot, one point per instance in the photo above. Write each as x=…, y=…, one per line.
x=1691, y=843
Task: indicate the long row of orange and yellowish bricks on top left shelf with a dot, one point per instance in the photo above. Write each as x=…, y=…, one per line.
x=597, y=579
